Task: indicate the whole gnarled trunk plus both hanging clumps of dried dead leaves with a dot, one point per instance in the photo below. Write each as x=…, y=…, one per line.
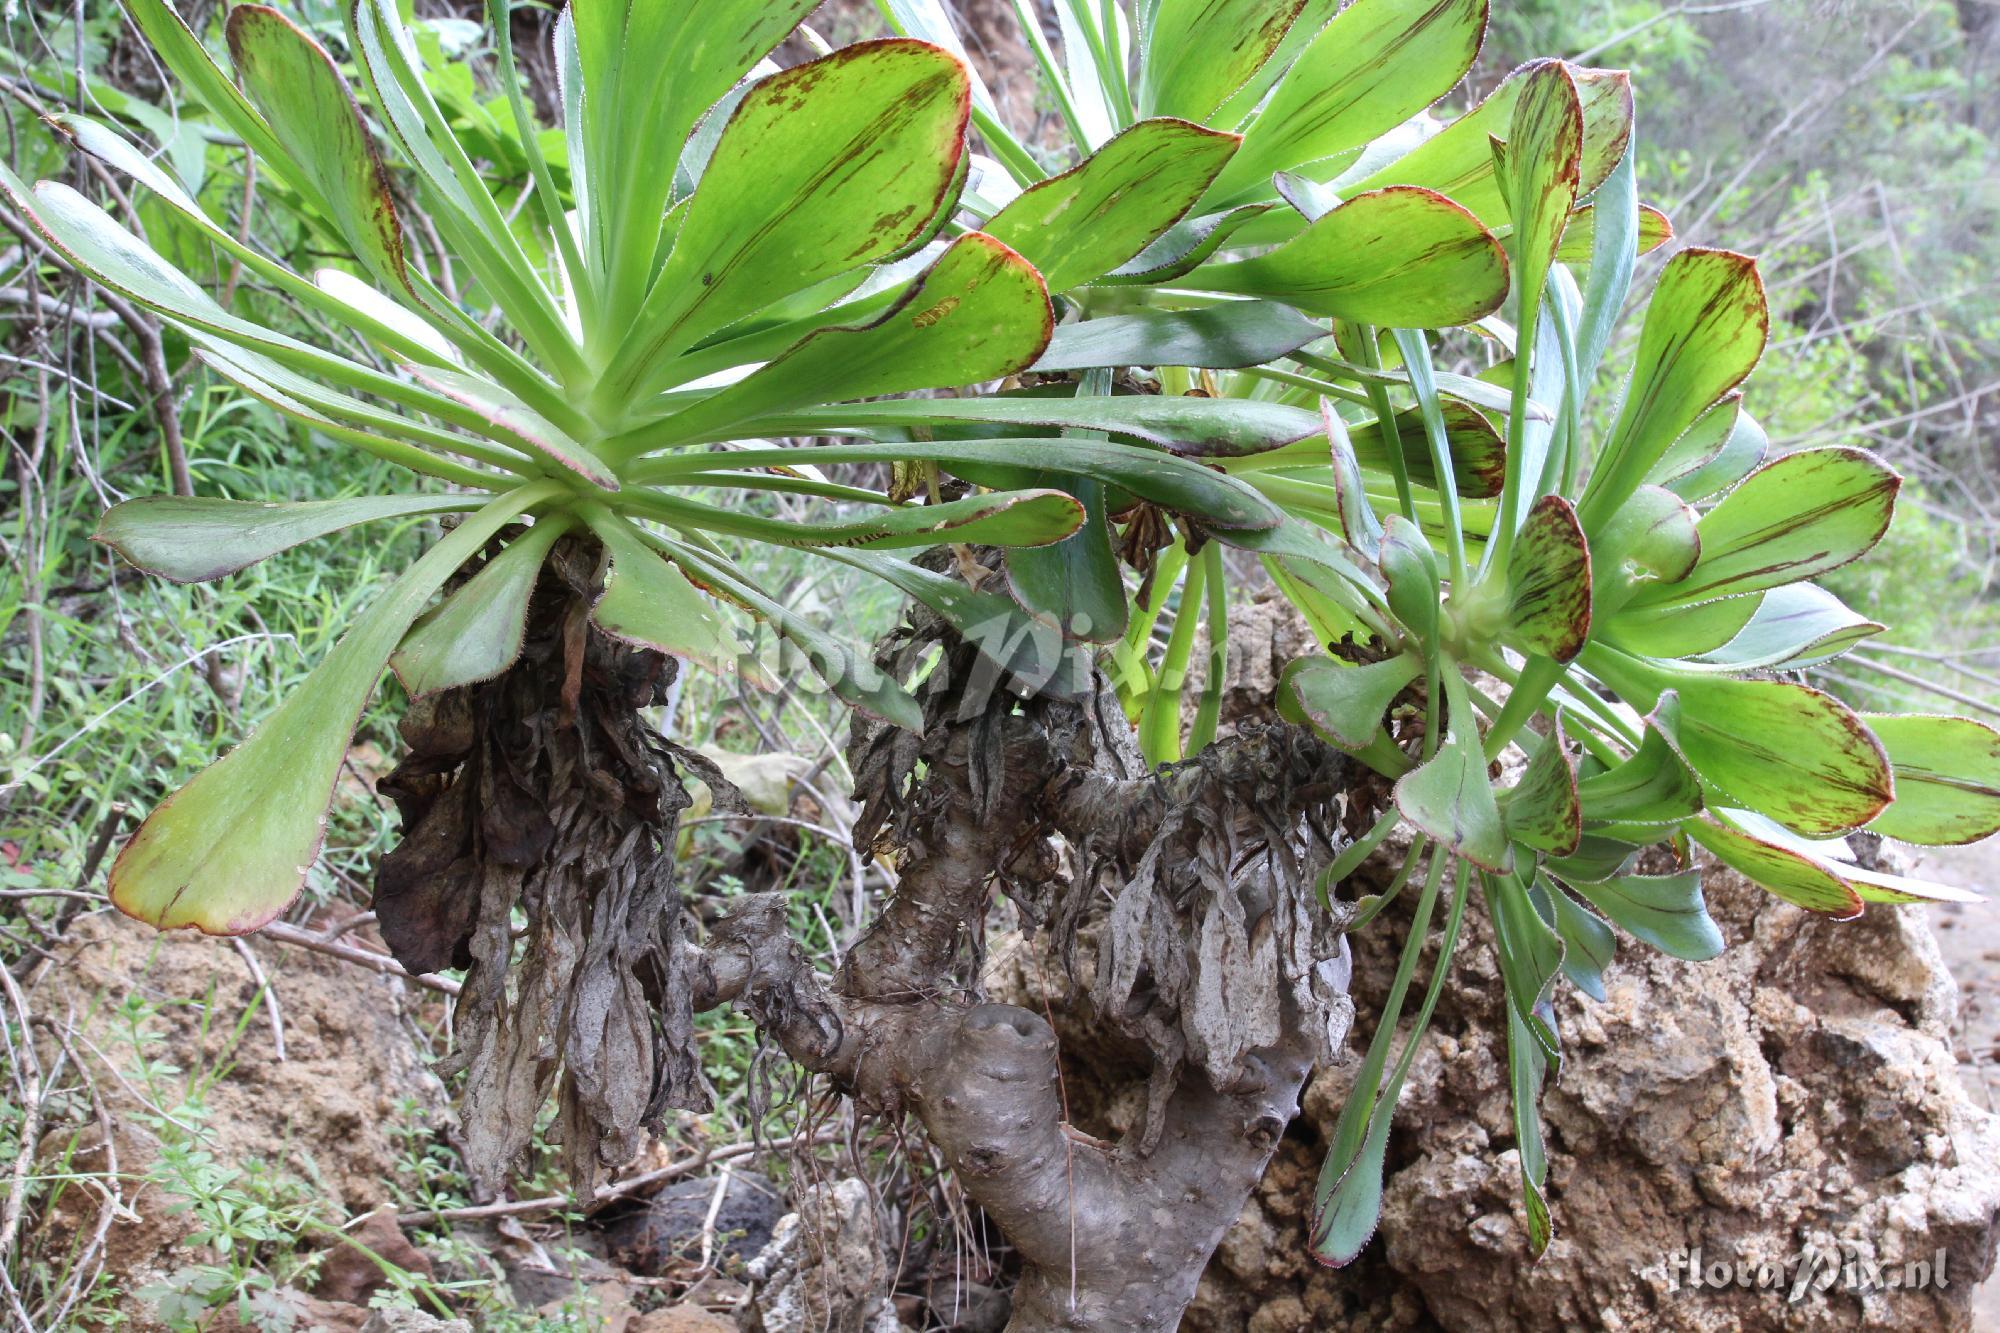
x=547, y=794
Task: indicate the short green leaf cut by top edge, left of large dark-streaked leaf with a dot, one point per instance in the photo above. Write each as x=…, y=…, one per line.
x=1203, y=51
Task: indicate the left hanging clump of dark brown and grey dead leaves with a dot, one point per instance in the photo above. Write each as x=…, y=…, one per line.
x=547, y=792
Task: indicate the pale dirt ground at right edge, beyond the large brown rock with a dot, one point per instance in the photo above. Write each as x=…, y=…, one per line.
x=1971, y=942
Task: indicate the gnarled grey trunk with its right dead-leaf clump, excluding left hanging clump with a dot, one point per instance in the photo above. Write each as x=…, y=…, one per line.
x=1113, y=1238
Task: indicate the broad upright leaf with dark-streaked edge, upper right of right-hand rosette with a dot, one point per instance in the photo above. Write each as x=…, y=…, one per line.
x=1705, y=331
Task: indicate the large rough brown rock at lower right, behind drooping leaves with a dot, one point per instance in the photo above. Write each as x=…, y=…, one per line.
x=1795, y=1094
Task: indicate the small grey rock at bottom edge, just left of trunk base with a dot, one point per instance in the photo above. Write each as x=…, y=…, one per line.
x=825, y=1270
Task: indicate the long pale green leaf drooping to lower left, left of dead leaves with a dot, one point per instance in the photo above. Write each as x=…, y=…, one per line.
x=231, y=850
